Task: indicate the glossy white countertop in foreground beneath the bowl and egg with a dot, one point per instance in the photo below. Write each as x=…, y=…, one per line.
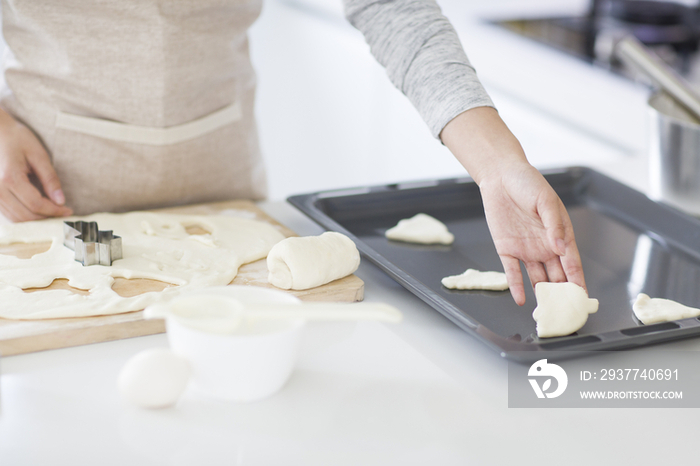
x=420, y=392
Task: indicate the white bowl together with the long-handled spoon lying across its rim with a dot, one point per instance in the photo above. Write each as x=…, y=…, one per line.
x=242, y=341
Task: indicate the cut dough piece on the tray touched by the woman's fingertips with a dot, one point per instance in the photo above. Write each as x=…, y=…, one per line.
x=562, y=308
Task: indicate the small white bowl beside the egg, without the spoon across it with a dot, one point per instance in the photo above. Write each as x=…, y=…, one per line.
x=251, y=363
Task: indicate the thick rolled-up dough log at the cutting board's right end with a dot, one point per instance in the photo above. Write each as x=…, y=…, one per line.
x=311, y=261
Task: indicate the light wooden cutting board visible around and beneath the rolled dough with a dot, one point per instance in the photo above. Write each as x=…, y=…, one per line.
x=26, y=336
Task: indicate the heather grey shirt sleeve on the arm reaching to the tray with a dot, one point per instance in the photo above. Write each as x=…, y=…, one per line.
x=422, y=55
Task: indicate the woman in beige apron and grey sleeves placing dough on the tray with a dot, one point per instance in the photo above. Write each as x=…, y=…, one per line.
x=145, y=104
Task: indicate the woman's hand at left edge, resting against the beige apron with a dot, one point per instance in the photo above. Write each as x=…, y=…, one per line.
x=23, y=156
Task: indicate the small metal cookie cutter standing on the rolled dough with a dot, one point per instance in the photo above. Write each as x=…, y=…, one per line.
x=91, y=245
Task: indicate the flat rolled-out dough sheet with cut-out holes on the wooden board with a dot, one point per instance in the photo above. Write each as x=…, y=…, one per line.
x=155, y=246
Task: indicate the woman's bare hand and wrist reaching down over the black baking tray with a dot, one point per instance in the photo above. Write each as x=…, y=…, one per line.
x=527, y=220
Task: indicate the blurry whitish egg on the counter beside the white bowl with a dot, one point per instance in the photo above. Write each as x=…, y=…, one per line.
x=154, y=378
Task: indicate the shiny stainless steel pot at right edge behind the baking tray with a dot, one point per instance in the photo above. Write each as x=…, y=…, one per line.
x=674, y=154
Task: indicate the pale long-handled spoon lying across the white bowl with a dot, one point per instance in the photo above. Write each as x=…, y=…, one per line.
x=219, y=314
